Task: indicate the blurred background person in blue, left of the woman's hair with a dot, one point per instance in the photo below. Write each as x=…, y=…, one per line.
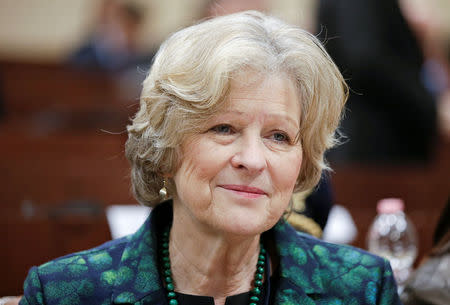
x=114, y=44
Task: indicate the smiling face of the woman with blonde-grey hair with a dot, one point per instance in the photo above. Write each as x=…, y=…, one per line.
x=238, y=174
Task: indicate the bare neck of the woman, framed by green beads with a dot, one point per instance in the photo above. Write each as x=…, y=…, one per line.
x=211, y=263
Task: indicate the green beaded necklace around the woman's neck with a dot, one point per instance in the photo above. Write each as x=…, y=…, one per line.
x=171, y=295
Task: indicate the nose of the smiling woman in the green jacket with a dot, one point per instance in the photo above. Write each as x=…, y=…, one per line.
x=250, y=155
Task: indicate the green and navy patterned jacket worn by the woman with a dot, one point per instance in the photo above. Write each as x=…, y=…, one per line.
x=124, y=271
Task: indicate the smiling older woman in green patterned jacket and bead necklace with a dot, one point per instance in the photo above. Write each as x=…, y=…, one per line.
x=235, y=114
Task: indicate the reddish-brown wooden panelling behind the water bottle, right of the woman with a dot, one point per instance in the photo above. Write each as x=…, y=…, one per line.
x=425, y=190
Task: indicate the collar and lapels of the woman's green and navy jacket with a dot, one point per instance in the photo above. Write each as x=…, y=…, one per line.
x=299, y=275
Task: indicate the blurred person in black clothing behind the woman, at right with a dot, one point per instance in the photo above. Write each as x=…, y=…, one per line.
x=391, y=117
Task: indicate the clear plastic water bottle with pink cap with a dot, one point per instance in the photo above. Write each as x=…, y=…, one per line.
x=393, y=236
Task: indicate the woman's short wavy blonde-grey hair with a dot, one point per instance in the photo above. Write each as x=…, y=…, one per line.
x=190, y=80
